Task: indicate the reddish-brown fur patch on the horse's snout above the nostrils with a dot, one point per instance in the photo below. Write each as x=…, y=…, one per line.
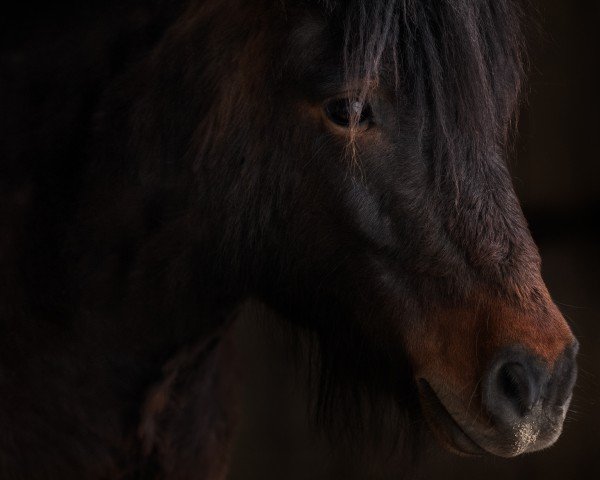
x=458, y=344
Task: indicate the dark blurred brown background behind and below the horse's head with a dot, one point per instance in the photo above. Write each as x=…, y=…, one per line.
x=556, y=171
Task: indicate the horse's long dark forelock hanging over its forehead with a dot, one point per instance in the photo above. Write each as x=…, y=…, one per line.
x=460, y=61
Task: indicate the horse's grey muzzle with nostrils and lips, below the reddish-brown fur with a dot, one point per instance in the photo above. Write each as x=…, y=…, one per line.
x=522, y=403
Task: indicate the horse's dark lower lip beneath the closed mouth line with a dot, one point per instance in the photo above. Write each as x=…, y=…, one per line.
x=451, y=435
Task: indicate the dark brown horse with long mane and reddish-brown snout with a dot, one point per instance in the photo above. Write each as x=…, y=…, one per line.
x=343, y=162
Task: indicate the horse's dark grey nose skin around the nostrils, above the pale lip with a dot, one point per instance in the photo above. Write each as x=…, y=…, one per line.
x=518, y=381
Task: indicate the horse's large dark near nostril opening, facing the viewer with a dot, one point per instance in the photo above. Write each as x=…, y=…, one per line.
x=516, y=387
